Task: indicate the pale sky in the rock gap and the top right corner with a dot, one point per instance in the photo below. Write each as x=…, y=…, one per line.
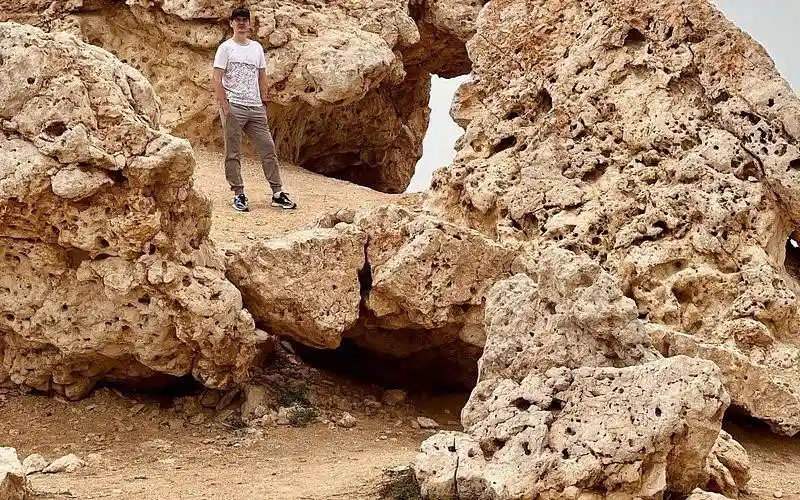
x=772, y=23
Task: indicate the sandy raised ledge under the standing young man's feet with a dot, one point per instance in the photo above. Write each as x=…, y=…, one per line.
x=315, y=195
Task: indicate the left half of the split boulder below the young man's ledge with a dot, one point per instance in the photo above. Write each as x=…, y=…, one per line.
x=304, y=285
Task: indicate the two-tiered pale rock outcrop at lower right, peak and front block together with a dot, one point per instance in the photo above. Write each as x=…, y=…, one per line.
x=572, y=398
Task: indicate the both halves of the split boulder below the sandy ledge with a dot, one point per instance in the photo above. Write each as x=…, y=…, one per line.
x=392, y=281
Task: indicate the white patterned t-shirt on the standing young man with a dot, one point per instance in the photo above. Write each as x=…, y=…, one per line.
x=241, y=64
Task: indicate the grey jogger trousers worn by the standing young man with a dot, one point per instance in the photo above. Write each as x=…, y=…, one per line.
x=253, y=122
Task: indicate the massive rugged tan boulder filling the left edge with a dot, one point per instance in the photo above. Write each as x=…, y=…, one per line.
x=107, y=269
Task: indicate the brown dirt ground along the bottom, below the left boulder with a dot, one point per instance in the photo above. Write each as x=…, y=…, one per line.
x=143, y=455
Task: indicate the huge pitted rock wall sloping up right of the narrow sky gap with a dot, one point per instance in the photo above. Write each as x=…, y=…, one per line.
x=658, y=139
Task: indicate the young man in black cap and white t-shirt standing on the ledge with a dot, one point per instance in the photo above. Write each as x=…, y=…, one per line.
x=240, y=78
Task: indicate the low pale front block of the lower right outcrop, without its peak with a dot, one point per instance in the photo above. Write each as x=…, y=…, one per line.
x=562, y=429
